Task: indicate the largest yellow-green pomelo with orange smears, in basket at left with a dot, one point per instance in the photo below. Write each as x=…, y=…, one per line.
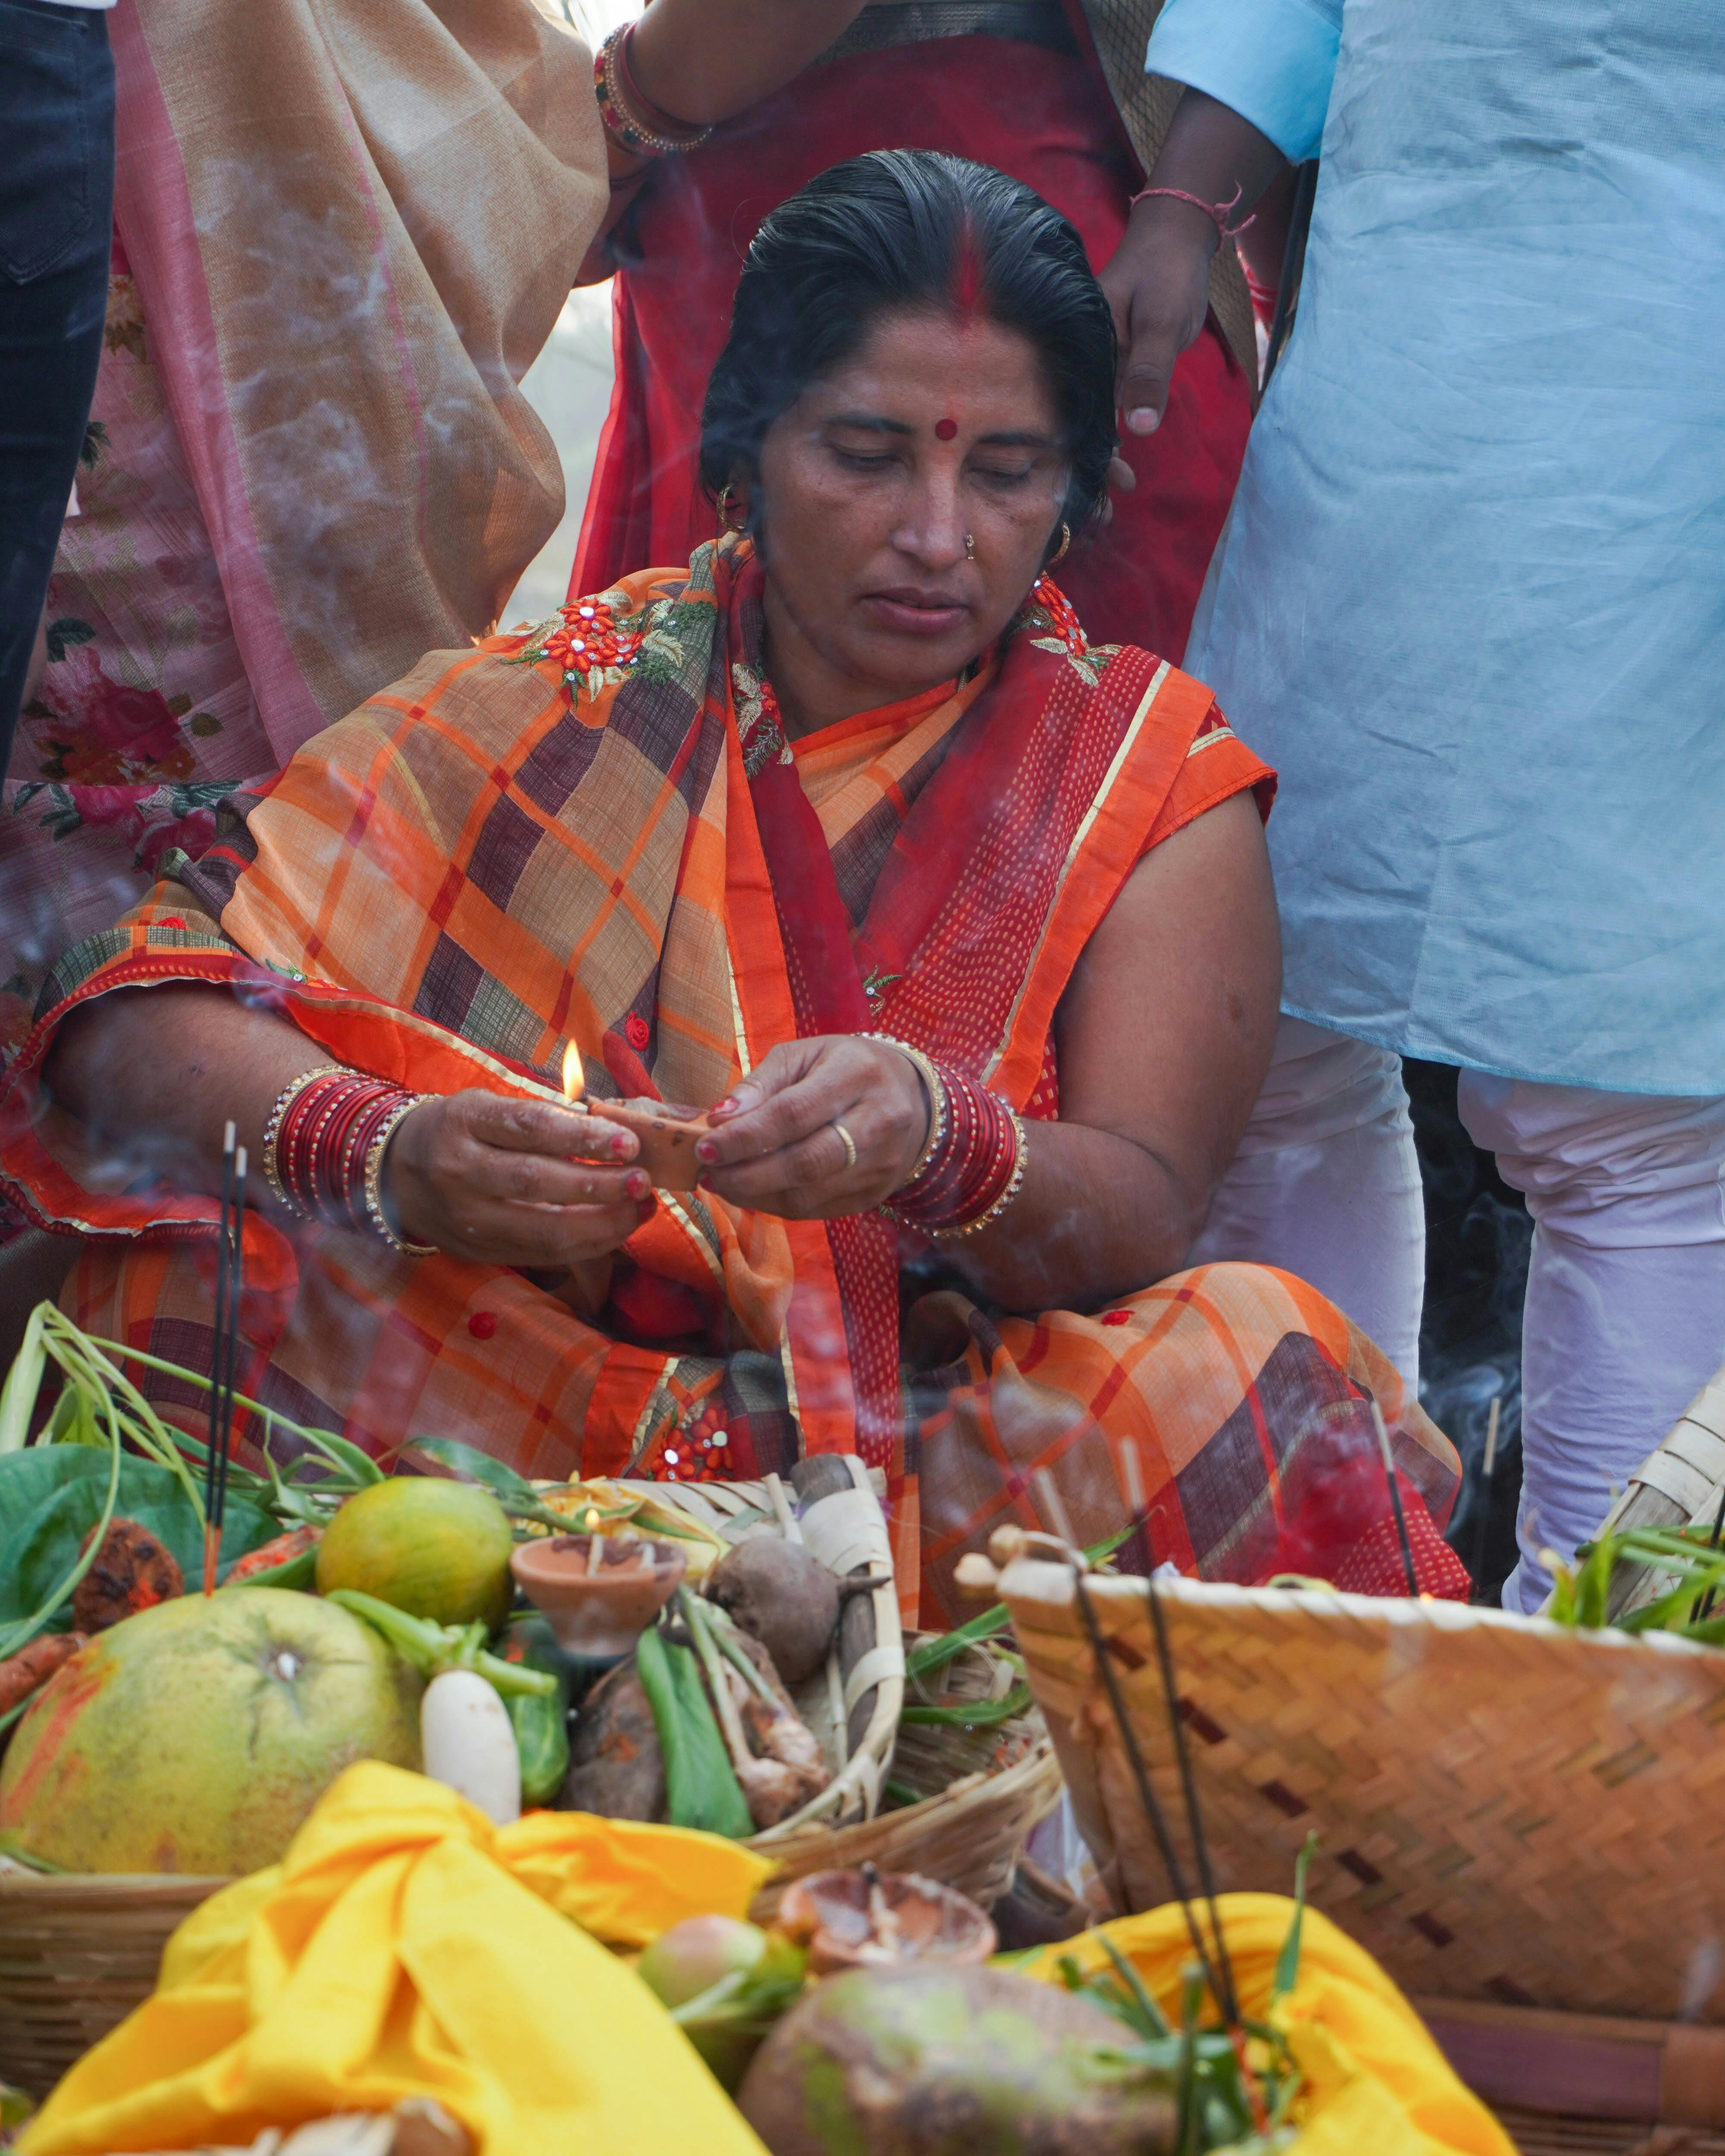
x=199, y=1735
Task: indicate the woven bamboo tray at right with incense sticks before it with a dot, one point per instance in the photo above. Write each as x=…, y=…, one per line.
x=1506, y=1810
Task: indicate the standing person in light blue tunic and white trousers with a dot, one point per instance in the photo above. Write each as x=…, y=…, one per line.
x=1469, y=605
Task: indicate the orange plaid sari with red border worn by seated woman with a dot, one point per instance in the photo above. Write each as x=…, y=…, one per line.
x=594, y=833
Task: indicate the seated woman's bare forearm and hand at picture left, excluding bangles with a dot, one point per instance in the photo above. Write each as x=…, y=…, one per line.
x=156, y=1075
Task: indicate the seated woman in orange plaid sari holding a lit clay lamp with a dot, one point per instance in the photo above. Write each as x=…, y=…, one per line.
x=961, y=926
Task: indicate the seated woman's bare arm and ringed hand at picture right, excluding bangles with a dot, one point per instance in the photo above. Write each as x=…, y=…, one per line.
x=1163, y=1047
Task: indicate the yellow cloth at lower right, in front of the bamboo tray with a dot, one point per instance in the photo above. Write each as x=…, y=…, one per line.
x=1377, y=2079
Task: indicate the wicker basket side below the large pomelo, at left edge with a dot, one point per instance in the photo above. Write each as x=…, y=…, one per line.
x=77, y=1954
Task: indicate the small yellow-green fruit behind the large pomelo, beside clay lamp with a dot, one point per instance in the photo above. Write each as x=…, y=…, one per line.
x=434, y=1549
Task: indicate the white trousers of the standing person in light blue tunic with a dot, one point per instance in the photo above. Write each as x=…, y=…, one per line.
x=1627, y=1277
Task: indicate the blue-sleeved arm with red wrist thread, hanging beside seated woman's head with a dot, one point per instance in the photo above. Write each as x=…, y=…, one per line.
x=1258, y=83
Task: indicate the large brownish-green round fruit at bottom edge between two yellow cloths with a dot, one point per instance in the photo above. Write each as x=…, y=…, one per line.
x=952, y=2062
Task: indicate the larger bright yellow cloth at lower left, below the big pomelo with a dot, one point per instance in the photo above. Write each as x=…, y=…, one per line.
x=406, y=1948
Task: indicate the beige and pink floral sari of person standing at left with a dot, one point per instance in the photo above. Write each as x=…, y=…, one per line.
x=340, y=238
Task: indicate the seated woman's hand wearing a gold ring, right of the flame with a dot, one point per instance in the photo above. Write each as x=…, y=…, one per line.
x=777, y=1144
